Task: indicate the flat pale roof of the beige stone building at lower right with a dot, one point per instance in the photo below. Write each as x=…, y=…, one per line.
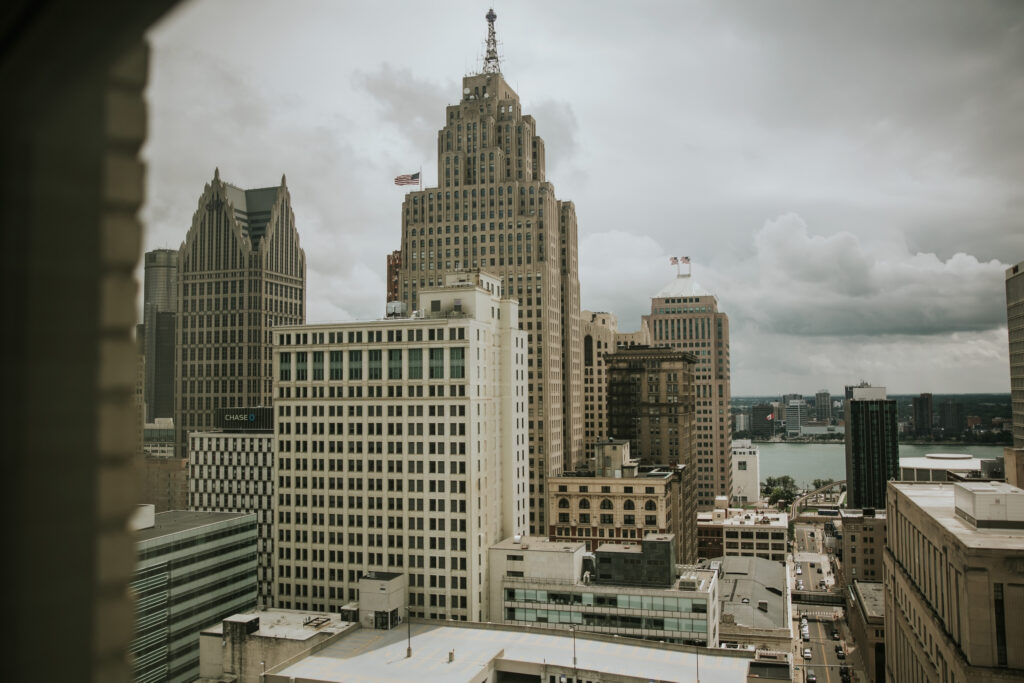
x=940, y=502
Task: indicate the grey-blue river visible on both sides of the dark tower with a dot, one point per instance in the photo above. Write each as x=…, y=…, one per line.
x=806, y=462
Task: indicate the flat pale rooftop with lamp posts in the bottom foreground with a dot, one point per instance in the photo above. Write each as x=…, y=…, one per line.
x=380, y=656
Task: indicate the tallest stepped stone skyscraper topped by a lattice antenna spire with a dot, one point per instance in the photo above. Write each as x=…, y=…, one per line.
x=495, y=209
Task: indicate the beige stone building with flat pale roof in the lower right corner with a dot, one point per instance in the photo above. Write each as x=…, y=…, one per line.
x=953, y=580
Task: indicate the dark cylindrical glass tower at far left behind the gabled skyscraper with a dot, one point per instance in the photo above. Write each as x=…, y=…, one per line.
x=160, y=291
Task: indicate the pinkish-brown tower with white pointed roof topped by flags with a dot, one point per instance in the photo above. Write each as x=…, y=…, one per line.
x=686, y=317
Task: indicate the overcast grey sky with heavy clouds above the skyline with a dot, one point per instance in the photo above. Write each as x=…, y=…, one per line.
x=846, y=178
